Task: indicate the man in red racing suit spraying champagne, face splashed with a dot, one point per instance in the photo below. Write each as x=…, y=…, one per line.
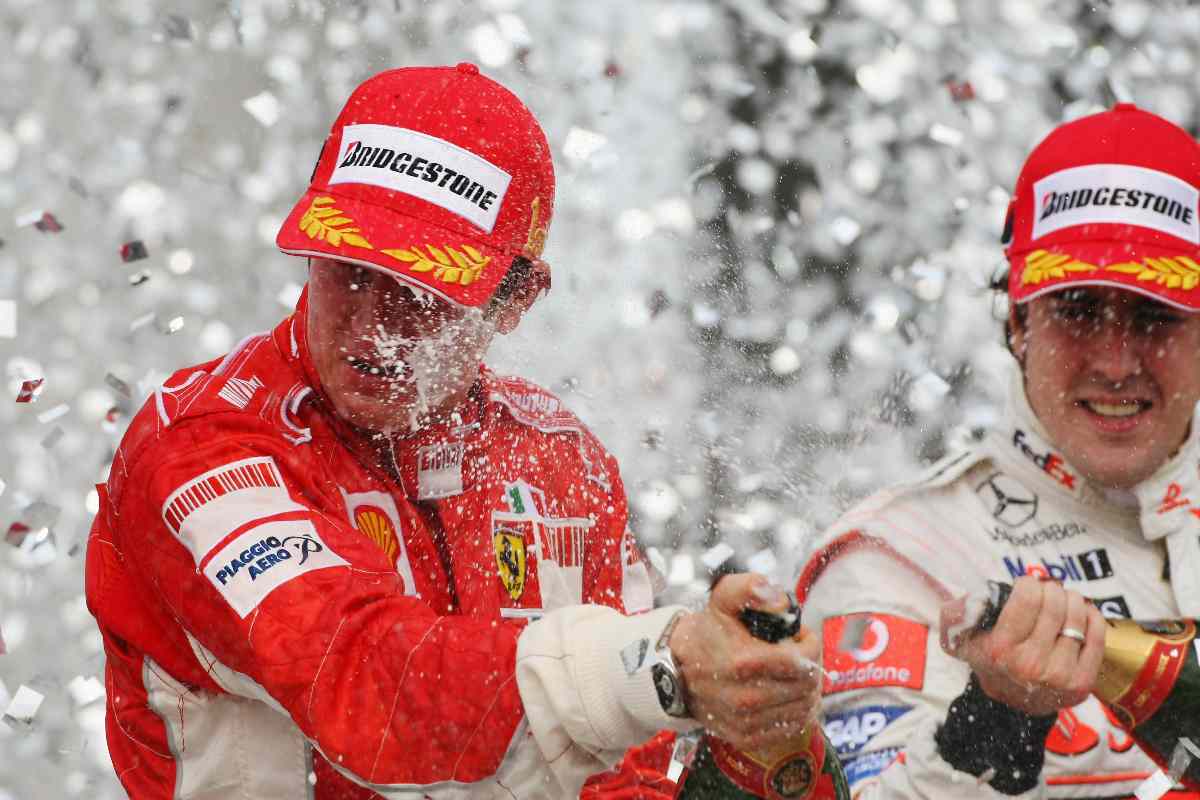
x=347, y=562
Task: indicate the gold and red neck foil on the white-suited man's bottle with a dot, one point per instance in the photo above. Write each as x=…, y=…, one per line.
x=1142, y=664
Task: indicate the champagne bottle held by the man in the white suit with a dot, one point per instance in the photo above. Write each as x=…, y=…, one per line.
x=1150, y=679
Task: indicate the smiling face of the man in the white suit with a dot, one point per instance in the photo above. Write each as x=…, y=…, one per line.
x=1113, y=376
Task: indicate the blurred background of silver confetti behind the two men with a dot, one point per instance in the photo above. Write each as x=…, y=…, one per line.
x=776, y=228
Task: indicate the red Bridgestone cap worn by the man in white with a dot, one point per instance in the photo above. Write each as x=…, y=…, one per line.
x=1109, y=200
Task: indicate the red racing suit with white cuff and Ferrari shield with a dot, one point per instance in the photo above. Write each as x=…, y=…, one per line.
x=295, y=610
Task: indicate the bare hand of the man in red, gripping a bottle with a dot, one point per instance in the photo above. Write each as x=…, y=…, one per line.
x=751, y=694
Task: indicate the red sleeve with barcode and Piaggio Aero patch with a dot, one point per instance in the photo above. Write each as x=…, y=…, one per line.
x=313, y=616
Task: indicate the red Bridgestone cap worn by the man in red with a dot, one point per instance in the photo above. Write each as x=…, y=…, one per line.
x=439, y=176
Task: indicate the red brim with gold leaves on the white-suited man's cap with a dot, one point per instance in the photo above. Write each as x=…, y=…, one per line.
x=1168, y=275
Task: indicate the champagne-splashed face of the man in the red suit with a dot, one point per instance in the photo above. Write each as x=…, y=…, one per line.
x=391, y=359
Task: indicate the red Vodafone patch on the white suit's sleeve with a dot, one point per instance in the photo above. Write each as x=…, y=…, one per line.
x=867, y=651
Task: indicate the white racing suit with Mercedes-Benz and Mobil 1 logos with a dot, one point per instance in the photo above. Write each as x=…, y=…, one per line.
x=1007, y=508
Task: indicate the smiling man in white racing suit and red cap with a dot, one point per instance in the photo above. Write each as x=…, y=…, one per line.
x=1089, y=490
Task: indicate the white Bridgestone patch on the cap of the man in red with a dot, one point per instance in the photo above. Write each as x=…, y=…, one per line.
x=423, y=166
